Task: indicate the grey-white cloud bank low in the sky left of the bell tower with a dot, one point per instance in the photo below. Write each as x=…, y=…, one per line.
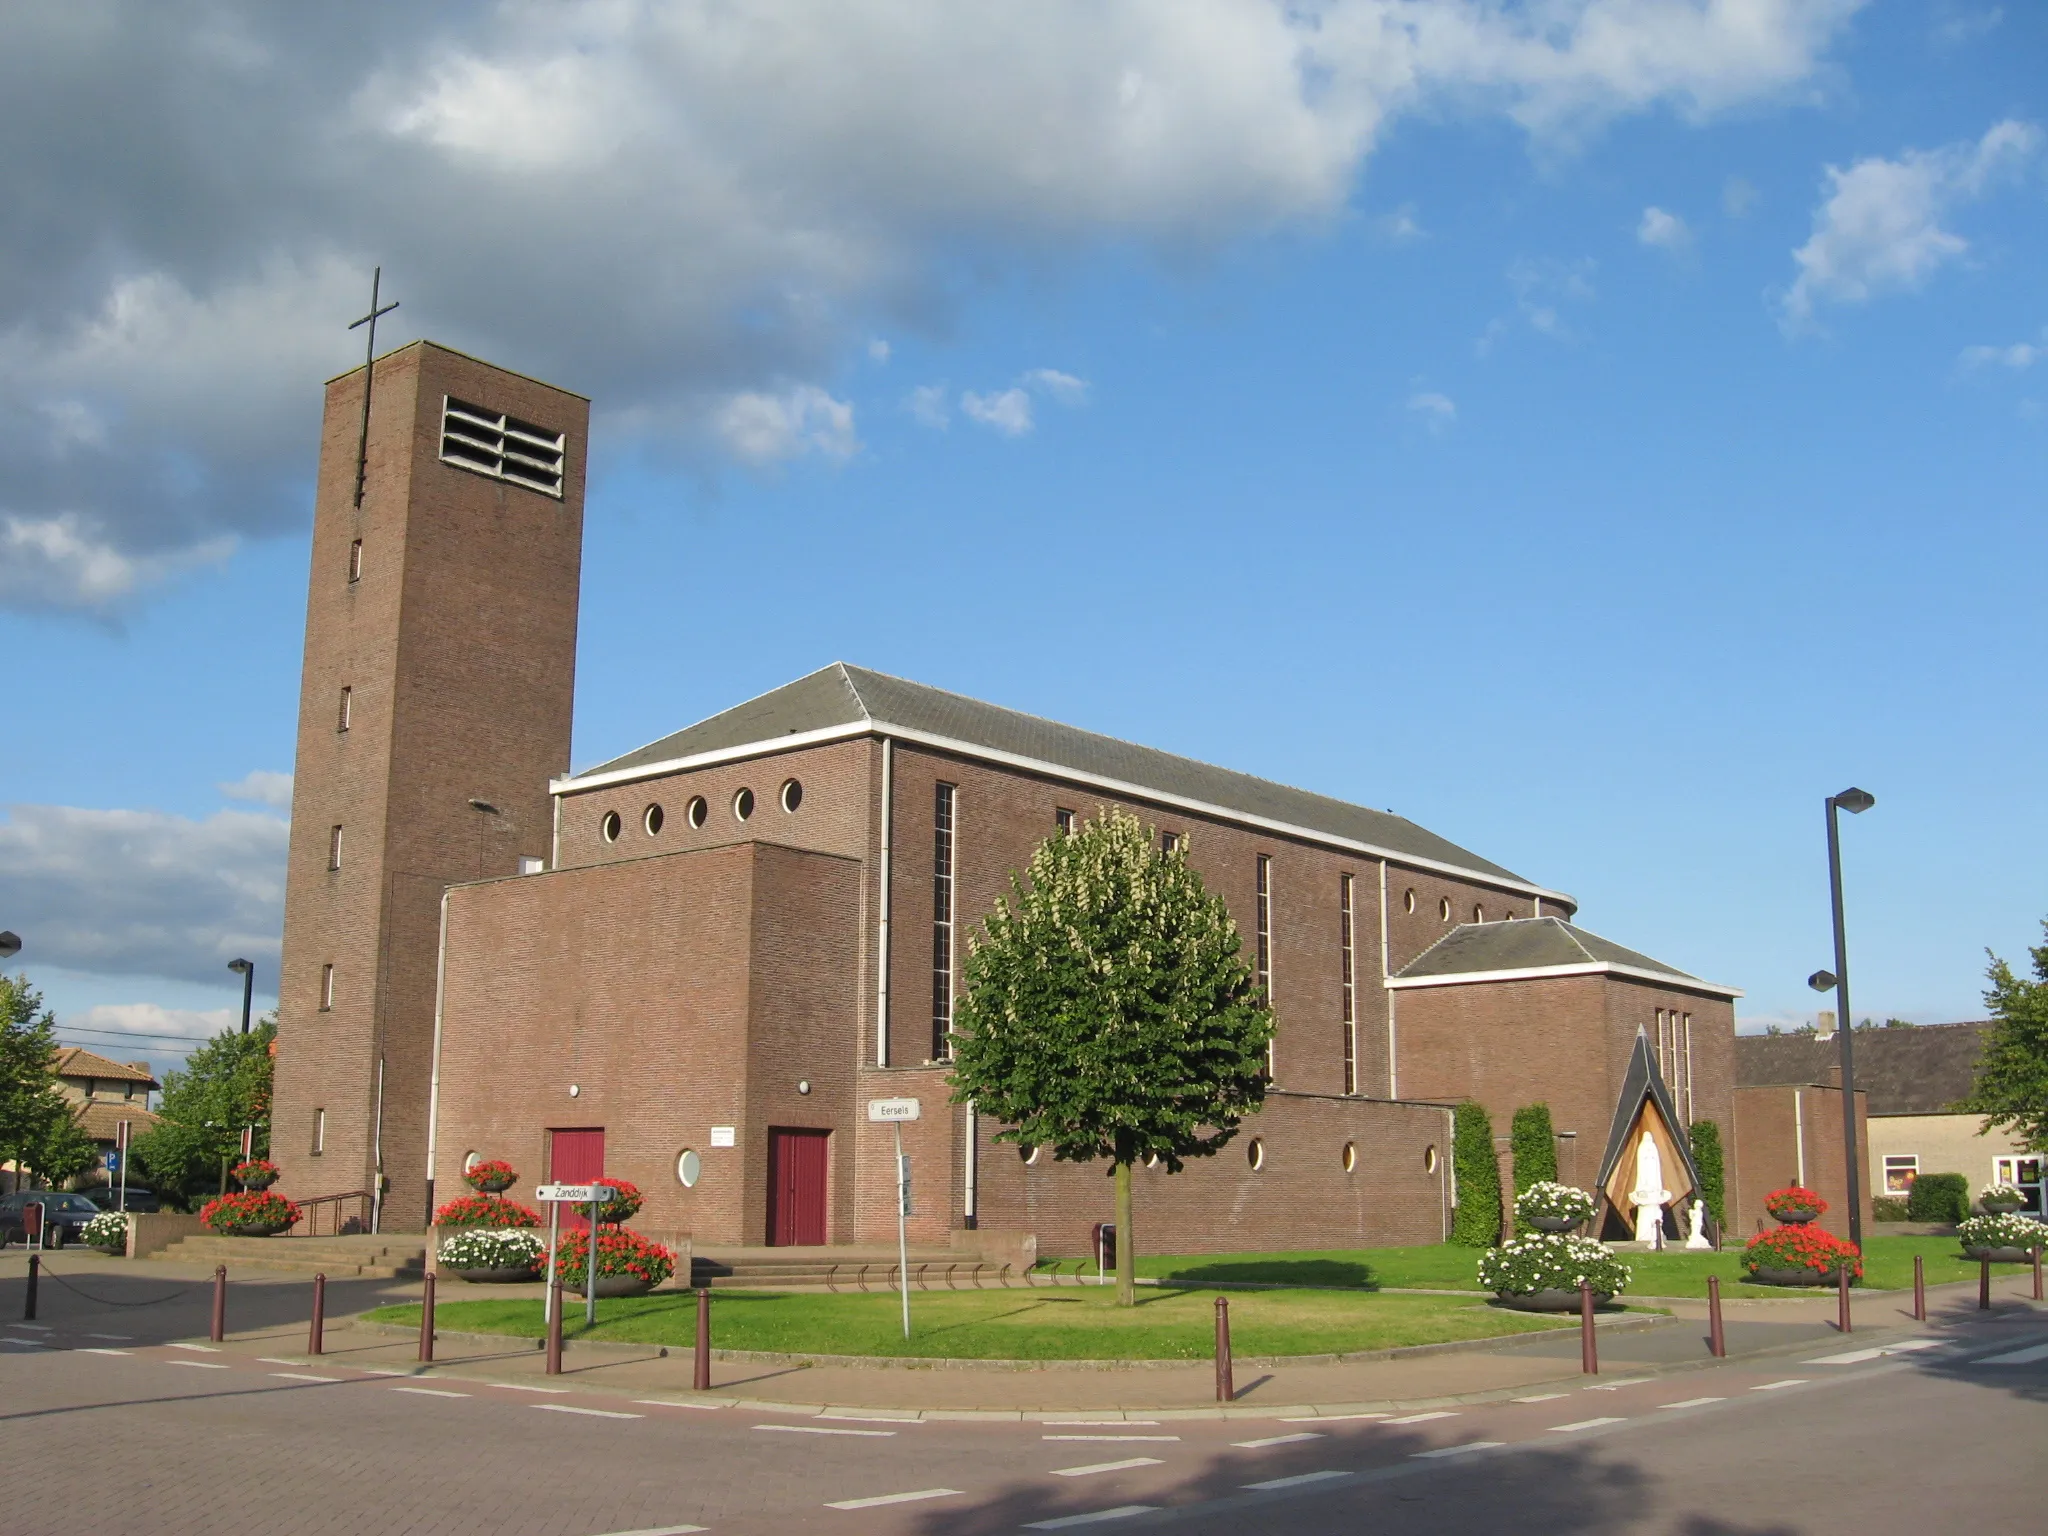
x=144, y=892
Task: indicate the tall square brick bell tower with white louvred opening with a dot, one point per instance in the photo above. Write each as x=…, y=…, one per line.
x=433, y=712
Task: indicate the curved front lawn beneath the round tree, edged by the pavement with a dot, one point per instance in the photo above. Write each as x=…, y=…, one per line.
x=1082, y=1324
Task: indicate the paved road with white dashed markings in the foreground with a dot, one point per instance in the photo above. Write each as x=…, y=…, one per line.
x=112, y=1431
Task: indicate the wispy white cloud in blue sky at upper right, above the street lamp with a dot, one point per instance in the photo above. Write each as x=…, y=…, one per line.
x=1881, y=228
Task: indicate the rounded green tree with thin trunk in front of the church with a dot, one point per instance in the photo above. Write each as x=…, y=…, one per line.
x=1109, y=1015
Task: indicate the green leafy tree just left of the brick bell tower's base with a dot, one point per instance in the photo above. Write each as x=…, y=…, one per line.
x=222, y=1089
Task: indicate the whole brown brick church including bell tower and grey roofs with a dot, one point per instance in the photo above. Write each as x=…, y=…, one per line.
x=695, y=966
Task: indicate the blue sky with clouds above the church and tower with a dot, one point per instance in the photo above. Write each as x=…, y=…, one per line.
x=1594, y=462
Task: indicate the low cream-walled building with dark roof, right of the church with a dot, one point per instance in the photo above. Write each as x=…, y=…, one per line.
x=1912, y=1078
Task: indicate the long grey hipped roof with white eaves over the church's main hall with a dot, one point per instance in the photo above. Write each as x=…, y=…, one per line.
x=843, y=701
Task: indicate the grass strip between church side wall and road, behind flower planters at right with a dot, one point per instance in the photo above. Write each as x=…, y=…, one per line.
x=1674, y=1273
